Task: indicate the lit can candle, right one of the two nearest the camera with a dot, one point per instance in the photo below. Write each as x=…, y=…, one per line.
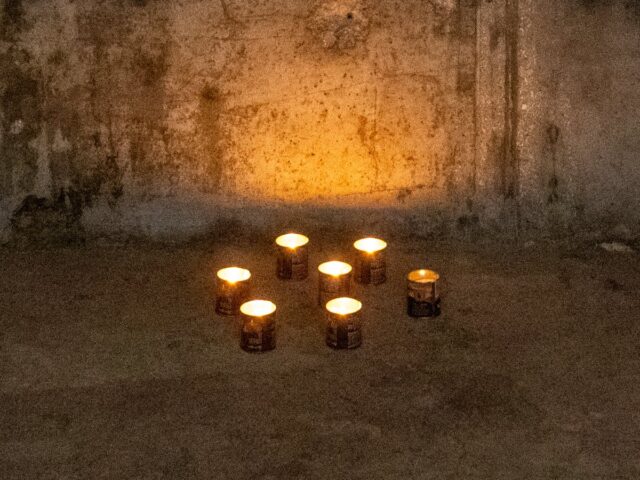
x=344, y=327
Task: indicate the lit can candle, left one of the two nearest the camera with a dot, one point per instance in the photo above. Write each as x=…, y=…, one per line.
x=258, y=332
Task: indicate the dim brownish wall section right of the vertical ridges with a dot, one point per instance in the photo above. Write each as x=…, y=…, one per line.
x=579, y=129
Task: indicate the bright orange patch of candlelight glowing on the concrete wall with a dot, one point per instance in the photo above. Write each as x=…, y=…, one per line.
x=337, y=149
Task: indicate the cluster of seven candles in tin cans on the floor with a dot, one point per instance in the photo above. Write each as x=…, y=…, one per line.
x=344, y=325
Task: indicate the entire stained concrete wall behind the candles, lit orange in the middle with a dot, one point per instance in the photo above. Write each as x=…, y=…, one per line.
x=435, y=117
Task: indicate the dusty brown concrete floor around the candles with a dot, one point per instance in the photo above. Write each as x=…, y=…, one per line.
x=114, y=365
